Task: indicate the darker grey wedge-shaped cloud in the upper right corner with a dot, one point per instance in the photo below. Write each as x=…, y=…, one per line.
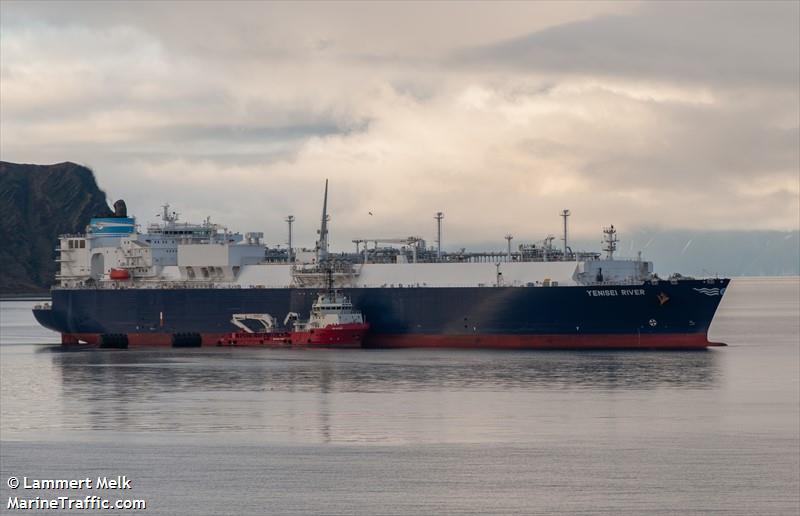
x=716, y=42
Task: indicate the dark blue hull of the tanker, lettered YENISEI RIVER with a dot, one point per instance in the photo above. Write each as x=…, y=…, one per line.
x=653, y=315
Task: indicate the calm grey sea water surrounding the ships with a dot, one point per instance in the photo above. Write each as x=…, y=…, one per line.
x=220, y=431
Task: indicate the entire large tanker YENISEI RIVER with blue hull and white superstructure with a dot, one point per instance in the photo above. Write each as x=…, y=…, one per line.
x=183, y=284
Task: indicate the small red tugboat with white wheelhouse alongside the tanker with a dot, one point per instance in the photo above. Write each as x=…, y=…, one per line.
x=333, y=323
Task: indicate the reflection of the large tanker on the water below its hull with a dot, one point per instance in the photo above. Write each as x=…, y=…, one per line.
x=366, y=396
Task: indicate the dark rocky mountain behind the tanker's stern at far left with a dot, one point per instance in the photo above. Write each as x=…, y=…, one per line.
x=38, y=203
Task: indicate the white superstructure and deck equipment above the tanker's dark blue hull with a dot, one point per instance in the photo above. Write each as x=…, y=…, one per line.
x=115, y=254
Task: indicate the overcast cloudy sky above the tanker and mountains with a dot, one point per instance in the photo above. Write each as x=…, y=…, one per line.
x=673, y=115
